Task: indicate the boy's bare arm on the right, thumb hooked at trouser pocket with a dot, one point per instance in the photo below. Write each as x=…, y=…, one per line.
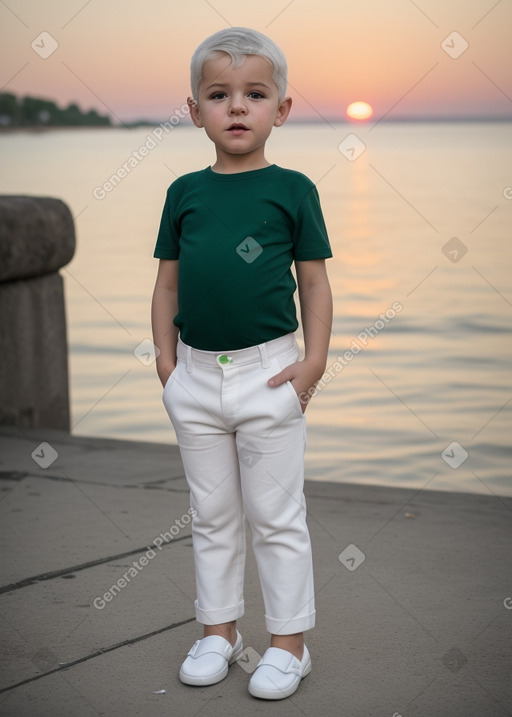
x=316, y=312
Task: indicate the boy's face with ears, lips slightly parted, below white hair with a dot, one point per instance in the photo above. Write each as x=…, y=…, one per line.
x=246, y=96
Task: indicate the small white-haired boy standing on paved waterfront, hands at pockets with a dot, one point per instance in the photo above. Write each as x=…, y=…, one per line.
x=231, y=378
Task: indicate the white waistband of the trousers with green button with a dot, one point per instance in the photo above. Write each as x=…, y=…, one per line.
x=260, y=353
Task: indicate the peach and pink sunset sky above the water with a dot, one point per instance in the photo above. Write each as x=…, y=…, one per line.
x=130, y=58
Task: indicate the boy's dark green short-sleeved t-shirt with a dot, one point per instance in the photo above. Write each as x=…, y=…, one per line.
x=236, y=236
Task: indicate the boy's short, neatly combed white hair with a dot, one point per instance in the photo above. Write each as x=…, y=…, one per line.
x=238, y=42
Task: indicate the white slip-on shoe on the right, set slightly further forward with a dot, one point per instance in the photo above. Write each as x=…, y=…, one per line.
x=278, y=674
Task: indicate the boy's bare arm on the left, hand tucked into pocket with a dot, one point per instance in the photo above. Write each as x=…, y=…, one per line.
x=164, y=308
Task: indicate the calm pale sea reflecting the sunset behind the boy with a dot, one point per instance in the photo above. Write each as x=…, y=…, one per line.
x=418, y=387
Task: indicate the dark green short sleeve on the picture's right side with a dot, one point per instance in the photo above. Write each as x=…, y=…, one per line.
x=310, y=240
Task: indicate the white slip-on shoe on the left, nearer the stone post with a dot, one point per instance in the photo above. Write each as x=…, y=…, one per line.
x=208, y=660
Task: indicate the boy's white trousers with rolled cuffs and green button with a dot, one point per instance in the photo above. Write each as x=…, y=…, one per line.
x=242, y=445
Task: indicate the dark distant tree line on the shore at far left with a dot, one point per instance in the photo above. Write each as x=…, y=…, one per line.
x=36, y=112
